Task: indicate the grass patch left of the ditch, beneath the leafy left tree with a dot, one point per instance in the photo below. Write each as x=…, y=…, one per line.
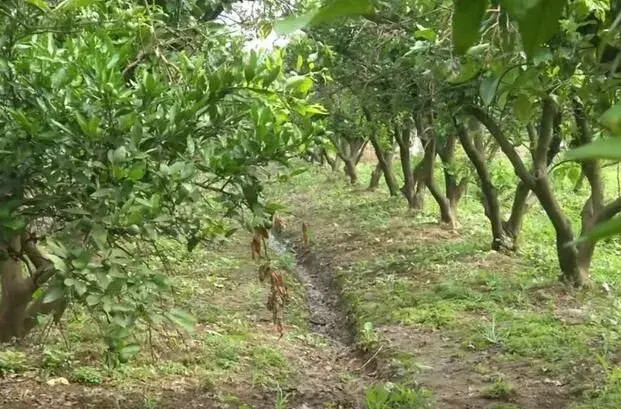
x=234, y=353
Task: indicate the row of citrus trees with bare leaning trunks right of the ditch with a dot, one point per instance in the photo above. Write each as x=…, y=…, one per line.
x=525, y=79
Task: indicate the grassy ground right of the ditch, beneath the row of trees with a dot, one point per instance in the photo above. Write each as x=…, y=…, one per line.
x=405, y=275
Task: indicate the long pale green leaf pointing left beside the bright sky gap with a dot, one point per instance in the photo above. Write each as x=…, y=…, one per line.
x=332, y=11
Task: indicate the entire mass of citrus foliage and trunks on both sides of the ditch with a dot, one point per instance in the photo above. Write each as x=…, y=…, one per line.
x=125, y=122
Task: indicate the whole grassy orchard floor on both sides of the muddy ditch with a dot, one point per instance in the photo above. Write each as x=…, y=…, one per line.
x=429, y=305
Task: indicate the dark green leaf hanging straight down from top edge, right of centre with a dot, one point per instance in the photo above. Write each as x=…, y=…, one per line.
x=467, y=19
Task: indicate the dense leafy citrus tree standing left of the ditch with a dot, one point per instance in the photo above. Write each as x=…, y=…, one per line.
x=119, y=128
